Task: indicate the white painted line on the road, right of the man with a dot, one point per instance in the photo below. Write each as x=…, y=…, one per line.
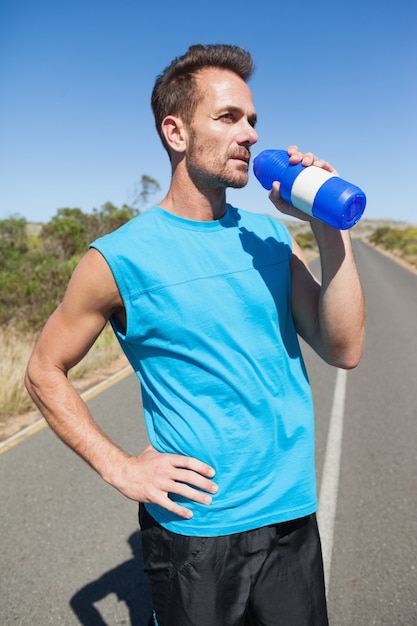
x=326, y=514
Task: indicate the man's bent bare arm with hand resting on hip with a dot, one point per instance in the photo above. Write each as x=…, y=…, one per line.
x=91, y=298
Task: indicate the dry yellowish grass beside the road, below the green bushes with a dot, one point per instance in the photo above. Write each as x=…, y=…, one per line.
x=16, y=347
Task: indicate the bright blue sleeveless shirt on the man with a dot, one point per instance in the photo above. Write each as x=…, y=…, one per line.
x=211, y=337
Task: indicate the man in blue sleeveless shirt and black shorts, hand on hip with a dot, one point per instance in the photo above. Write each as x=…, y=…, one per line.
x=207, y=302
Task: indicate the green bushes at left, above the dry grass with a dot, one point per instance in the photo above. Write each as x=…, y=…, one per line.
x=34, y=270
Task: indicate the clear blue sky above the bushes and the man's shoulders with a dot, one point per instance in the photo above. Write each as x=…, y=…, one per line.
x=337, y=77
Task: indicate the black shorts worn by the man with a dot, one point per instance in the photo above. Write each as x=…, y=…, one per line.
x=271, y=576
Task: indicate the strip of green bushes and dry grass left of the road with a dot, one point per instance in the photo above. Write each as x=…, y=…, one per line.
x=36, y=263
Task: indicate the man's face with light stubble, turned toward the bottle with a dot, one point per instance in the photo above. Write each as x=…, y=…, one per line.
x=222, y=131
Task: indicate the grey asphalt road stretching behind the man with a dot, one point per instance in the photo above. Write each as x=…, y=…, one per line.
x=70, y=551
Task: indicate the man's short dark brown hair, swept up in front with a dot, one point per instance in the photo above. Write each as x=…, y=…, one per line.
x=175, y=91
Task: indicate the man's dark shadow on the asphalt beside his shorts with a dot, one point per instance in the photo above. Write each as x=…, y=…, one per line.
x=127, y=581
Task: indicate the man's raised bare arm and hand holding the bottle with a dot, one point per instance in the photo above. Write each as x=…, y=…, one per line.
x=330, y=316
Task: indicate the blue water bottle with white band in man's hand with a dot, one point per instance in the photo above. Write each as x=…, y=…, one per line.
x=311, y=189
